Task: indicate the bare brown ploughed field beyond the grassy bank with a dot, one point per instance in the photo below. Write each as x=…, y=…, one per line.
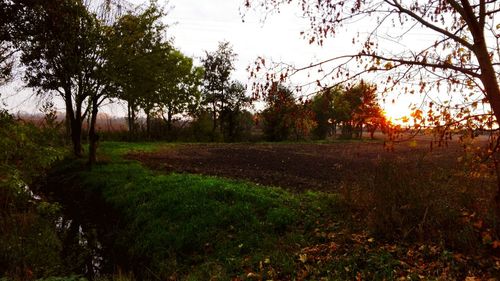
x=296, y=166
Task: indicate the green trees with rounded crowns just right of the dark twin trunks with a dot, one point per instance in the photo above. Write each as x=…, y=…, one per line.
x=151, y=74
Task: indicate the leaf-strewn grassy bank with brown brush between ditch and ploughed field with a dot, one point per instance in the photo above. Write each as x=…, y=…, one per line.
x=193, y=227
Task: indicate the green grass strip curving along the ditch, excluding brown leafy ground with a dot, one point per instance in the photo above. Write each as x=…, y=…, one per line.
x=202, y=226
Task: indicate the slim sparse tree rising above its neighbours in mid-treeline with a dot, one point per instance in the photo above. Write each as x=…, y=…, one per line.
x=218, y=67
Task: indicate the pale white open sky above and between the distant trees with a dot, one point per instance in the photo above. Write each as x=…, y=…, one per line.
x=197, y=26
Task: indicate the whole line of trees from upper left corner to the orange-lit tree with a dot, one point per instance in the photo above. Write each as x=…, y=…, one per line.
x=89, y=53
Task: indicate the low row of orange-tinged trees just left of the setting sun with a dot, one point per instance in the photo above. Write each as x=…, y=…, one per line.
x=351, y=109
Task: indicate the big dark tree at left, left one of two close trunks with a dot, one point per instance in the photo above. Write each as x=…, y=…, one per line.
x=59, y=55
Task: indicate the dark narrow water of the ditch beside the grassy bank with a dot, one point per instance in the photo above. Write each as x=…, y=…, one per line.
x=89, y=228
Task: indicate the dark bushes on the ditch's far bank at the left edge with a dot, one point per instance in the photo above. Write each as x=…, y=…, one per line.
x=29, y=245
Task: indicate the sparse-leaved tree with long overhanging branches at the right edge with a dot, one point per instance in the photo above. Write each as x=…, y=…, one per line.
x=465, y=54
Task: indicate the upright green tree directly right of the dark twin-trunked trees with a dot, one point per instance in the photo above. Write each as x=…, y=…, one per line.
x=137, y=44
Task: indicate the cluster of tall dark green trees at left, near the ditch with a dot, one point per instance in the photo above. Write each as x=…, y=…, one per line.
x=87, y=57
